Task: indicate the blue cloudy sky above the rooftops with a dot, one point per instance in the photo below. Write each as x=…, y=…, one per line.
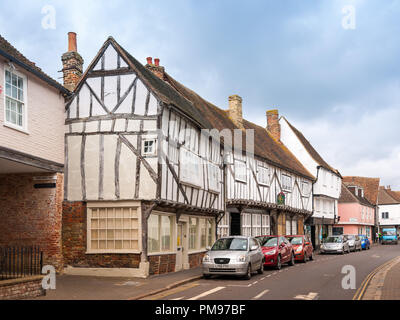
x=333, y=74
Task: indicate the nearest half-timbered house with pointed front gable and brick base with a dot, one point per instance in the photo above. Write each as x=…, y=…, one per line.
x=143, y=186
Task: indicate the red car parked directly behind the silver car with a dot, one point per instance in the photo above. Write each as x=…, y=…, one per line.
x=277, y=250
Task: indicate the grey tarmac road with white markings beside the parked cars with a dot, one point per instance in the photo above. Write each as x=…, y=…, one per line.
x=319, y=279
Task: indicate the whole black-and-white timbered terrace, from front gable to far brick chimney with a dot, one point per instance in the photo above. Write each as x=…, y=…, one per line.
x=149, y=182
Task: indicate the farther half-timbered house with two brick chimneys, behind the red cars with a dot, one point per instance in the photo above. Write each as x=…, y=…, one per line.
x=268, y=191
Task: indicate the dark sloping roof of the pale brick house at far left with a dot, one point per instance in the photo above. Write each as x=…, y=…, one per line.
x=11, y=53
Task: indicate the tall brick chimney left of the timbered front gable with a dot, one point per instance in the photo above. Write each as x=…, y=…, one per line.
x=72, y=64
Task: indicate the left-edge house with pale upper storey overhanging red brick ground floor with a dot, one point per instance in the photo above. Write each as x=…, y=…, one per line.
x=31, y=163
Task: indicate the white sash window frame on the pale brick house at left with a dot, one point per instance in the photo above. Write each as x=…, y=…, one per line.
x=24, y=127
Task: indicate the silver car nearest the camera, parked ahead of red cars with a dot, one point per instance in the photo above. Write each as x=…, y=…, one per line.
x=236, y=255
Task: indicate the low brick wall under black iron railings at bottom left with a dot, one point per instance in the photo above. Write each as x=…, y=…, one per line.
x=21, y=288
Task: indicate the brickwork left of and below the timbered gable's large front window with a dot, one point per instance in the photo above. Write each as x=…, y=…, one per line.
x=74, y=232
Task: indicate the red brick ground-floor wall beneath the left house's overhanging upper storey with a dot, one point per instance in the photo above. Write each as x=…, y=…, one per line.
x=32, y=216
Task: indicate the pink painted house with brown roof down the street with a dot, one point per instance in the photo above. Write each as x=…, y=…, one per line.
x=356, y=213
